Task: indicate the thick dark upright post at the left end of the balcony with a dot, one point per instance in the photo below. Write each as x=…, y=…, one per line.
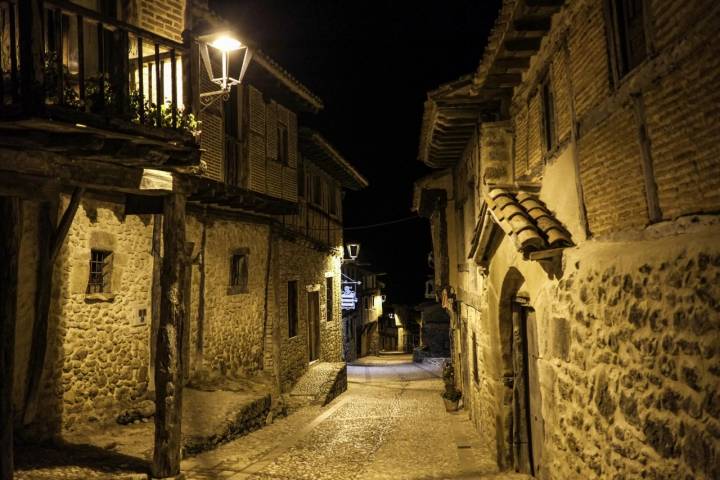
x=30, y=17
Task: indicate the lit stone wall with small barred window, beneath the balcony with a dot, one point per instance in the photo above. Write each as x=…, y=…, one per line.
x=98, y=350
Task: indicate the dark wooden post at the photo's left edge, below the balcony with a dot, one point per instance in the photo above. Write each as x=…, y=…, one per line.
x=10, y=234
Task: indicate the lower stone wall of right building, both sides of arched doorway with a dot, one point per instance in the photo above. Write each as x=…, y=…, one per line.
x=629, y=356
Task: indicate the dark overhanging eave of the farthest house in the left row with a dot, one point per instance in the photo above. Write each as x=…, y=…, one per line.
x=316, y=148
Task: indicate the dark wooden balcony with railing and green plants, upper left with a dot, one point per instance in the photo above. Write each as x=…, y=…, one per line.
x=71, y=70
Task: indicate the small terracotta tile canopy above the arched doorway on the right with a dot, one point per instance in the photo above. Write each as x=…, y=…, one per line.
x=526, y=219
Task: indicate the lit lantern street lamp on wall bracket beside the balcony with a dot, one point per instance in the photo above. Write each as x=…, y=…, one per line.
x=225, y=43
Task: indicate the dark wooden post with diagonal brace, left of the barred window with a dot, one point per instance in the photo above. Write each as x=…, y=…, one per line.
x=50, y=239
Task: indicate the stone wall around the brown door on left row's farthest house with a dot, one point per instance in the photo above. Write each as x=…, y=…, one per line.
x=309, y=267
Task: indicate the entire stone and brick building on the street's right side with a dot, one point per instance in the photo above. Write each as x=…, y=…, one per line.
x=574, y=225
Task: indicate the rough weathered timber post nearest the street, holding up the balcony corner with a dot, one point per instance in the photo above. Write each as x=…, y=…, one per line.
x=168, y=371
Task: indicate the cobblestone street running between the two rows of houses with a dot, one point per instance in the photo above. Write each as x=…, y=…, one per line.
x=390, y=424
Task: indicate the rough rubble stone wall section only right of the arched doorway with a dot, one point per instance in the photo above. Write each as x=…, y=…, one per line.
x=636, y=355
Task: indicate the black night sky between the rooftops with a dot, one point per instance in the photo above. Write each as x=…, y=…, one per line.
x=372, y=64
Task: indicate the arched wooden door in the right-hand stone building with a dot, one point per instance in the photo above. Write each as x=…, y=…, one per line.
x=526, y=434
